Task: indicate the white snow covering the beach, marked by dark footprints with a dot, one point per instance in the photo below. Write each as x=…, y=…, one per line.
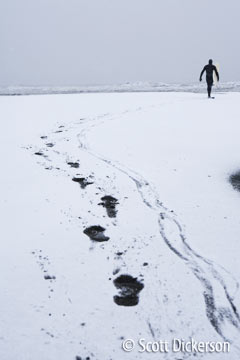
x=166, y=158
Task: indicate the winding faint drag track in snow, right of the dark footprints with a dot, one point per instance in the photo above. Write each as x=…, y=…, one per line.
x=201, y=267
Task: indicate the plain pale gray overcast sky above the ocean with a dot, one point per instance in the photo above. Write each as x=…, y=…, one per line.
x=77, y=42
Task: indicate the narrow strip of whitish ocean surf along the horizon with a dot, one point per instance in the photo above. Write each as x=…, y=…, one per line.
x=127, y=87
